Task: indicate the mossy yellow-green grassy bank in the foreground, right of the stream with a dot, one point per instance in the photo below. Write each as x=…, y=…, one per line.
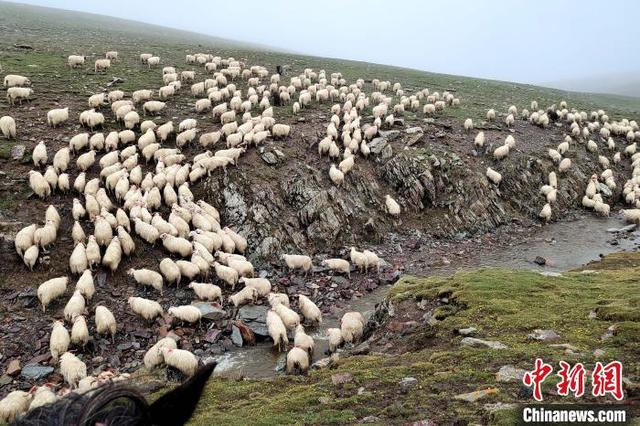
x=503, y=305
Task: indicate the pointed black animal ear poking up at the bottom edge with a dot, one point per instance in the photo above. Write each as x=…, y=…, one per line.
x=175, y=407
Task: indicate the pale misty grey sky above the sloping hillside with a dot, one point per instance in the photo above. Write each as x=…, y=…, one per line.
x=517, y=40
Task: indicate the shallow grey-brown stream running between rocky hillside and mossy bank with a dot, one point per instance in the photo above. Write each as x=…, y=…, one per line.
x=565, y=245
